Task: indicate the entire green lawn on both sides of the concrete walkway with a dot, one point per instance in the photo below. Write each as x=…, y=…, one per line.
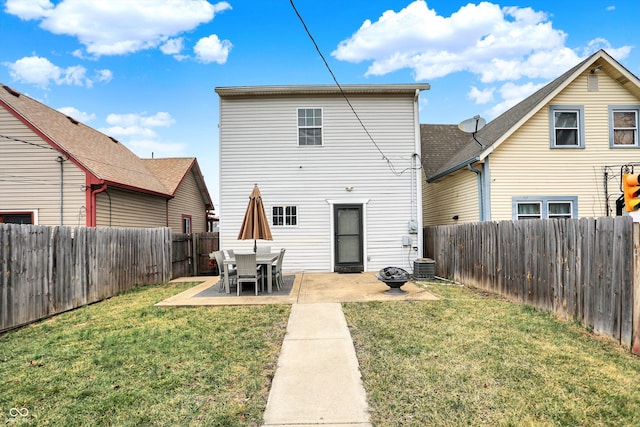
x=467, y=359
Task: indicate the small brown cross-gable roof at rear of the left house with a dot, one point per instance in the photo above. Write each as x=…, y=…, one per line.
x=172, y=171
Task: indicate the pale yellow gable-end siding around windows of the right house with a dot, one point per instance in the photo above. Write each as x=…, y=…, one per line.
x=525, y=165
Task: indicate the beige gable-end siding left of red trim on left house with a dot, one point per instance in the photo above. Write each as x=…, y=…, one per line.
x=30, y=177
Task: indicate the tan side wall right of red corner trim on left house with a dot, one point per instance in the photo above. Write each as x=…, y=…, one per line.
x=120, y=208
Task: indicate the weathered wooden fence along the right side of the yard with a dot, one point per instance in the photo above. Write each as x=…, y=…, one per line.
x=584, y=269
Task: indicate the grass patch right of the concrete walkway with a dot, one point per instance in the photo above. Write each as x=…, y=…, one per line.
x=474, y=359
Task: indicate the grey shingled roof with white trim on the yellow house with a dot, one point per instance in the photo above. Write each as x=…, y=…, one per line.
x=467, y=150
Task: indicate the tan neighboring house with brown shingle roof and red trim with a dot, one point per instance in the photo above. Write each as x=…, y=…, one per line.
x=55, y=170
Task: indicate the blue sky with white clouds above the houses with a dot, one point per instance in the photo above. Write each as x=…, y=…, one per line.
x=144, y=71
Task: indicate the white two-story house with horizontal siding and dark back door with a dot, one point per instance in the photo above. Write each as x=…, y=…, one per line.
x=338, y=169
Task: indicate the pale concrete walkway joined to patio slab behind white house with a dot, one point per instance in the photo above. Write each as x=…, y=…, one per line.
x=317, y=379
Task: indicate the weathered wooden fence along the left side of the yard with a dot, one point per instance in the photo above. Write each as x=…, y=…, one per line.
x=48, y=270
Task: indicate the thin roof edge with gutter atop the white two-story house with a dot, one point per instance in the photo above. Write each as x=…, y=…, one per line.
x=253, y=91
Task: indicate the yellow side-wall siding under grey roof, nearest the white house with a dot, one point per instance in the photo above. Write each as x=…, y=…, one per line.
x=456, y=194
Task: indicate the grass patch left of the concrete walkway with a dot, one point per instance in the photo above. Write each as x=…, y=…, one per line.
x=124, y=362
